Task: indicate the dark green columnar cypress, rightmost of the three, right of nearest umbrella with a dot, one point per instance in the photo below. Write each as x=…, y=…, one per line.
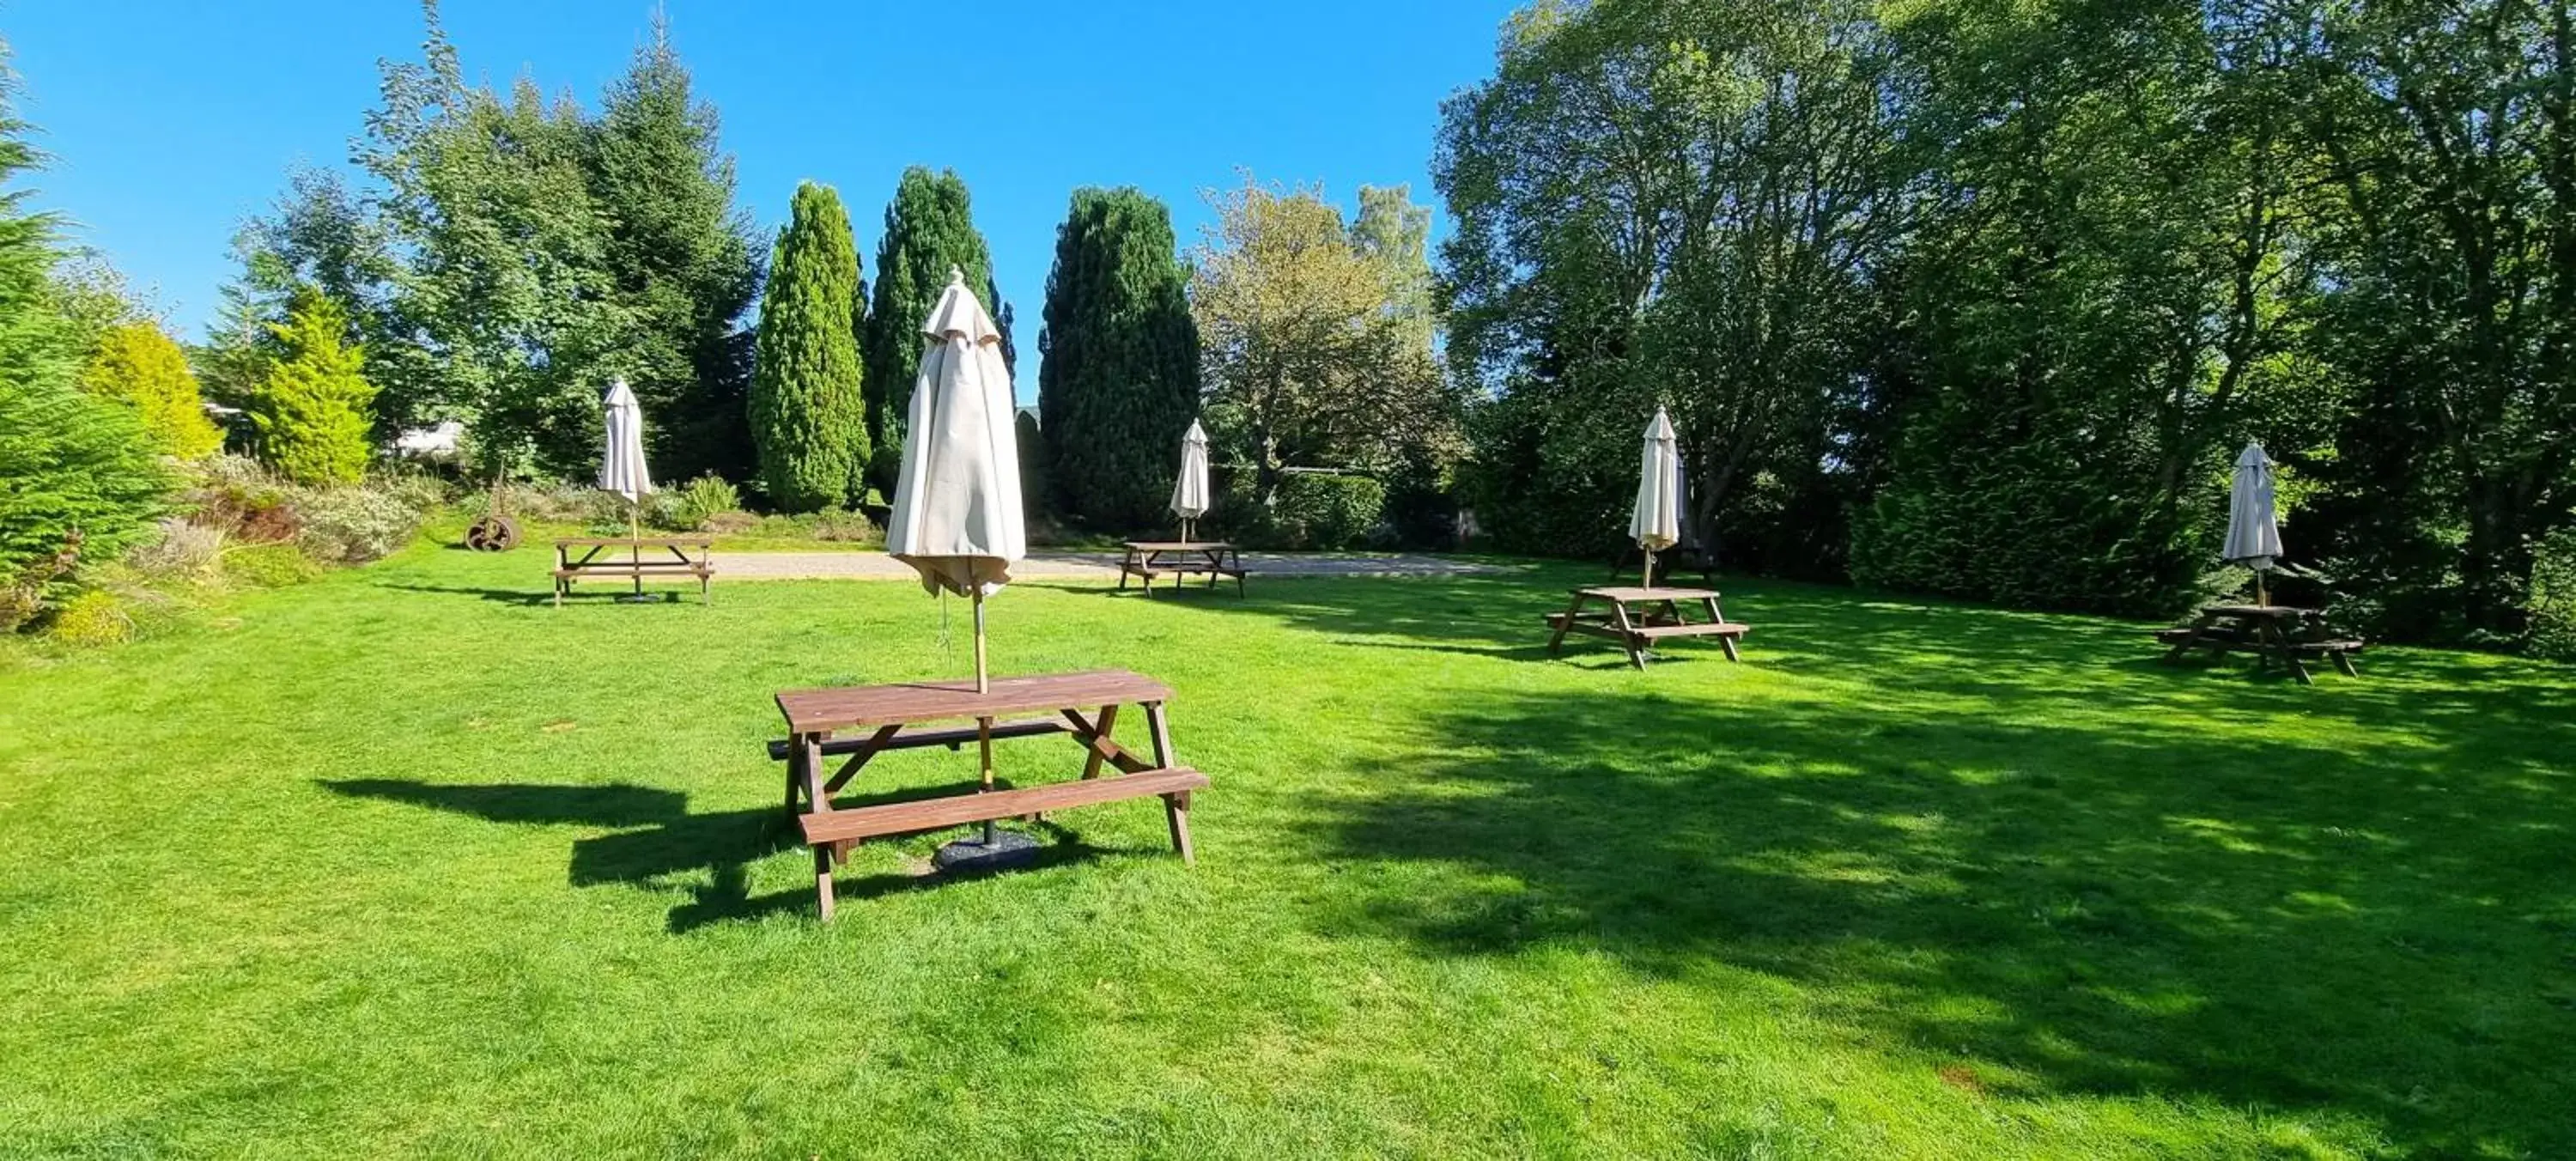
x=1119, y=359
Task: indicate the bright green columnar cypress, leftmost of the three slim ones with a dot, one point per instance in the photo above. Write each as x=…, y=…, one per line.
x=808, y=416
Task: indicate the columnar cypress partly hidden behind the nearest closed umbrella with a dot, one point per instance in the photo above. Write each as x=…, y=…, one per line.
x=929, y=233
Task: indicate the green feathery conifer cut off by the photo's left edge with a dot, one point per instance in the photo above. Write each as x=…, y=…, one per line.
x=76, y=472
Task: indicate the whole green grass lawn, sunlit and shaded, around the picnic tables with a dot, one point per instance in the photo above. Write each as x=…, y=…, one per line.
x=408, y=864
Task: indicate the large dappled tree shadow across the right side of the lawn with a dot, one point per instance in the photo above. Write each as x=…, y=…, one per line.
x=2121, y=900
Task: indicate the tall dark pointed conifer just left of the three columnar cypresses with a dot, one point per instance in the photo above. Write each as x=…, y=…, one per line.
x=681, y=259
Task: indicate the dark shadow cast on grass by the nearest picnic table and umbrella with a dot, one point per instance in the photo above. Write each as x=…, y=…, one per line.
x=658, y=843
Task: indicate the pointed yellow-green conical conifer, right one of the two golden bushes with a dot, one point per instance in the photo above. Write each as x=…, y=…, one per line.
x=313, y=411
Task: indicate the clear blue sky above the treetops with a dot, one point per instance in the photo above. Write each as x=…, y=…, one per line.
x=174, y=120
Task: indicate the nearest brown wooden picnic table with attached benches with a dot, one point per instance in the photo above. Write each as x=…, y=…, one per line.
x=875, y=720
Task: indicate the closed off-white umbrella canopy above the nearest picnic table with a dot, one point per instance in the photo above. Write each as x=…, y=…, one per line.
x=957, y=503
